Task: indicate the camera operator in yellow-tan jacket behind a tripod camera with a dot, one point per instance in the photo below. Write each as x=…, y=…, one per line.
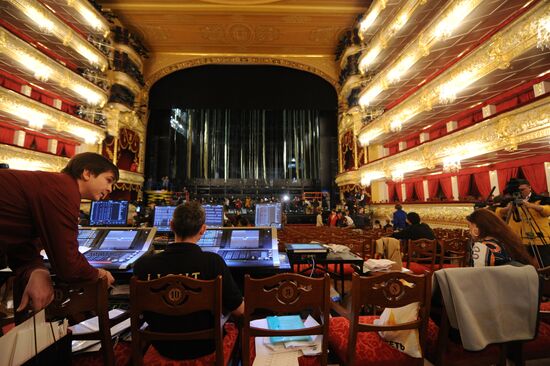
x=527, y=215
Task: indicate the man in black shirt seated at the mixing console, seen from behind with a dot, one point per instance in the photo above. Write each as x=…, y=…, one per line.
x=185, y=257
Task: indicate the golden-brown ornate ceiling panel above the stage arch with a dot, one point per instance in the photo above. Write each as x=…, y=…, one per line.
x=303, y=33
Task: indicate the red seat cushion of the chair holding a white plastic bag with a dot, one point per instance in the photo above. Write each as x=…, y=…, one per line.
x=370, y=348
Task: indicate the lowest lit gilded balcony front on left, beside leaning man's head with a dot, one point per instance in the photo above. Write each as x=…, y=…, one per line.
x=24, y=159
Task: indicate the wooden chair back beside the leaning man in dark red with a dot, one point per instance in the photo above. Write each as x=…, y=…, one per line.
x=83, y=300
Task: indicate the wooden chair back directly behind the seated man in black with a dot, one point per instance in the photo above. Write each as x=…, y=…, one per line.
x=175, y=295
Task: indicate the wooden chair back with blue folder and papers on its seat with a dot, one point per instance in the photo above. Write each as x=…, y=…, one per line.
x=286, y=293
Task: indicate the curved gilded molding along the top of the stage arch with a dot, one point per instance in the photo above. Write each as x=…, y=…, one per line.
x=234, y=60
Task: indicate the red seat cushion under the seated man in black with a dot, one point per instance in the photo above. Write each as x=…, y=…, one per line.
x=153, y=358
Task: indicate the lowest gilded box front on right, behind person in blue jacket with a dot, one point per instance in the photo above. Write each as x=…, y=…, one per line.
x=442, y=215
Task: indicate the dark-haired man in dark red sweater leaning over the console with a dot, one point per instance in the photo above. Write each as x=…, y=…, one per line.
x=41, y=209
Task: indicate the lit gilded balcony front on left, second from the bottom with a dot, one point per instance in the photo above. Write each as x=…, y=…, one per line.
x=43, y=117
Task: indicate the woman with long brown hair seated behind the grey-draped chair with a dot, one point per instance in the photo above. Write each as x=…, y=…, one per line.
x=495, y=243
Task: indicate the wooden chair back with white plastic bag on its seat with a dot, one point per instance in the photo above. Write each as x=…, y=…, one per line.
x=388, y=290
